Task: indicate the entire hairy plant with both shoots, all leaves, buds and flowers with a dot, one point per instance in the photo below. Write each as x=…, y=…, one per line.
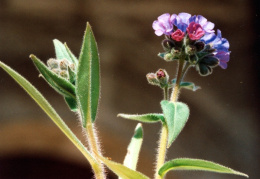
x=189, y=40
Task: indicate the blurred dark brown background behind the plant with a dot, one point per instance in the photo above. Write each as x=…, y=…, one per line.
x=224, y=122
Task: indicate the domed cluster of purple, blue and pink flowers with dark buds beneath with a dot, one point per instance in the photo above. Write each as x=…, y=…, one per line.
x=193, y=39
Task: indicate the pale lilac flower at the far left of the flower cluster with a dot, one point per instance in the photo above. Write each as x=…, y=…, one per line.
x=163, y=25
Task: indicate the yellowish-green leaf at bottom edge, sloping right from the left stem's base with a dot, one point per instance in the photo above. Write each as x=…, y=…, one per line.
x=121, y=170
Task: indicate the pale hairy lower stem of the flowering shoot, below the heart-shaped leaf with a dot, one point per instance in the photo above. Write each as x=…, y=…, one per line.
x=161, y=151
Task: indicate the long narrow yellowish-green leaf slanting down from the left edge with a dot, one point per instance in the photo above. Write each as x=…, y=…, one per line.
x=47, y=108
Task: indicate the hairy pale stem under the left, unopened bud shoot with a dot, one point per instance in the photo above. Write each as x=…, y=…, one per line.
x=95, y=151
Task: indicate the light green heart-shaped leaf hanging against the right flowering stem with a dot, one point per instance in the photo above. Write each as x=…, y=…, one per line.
x=176, y=115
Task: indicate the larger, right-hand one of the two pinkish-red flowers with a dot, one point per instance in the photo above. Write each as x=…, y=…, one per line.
x=195, y=31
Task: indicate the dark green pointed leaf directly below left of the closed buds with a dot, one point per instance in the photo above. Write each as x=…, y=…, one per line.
x=61, y=85
